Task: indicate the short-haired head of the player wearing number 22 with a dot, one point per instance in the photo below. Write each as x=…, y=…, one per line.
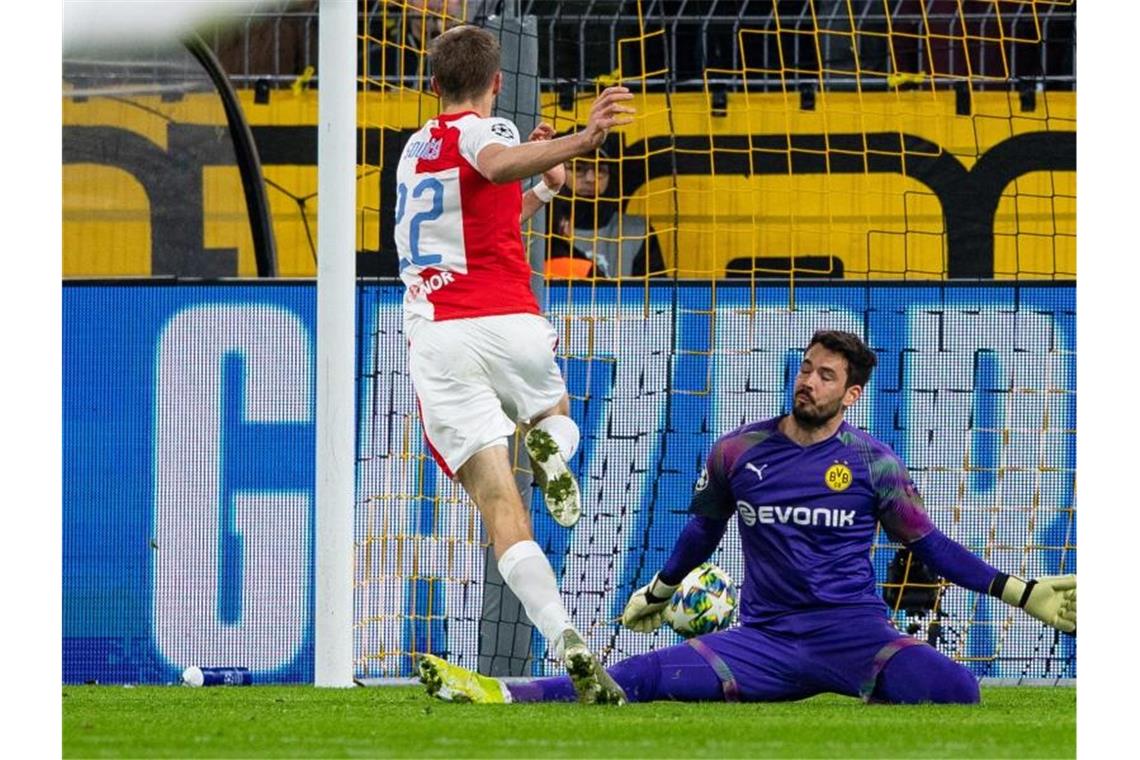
x=465, y=62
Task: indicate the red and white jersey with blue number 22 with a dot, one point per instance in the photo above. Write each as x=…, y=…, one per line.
x=458, y=234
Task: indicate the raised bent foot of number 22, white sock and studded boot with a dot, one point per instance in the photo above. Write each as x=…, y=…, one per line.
x=552, y=443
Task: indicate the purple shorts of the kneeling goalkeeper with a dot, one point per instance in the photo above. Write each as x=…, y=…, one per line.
x=802, y=656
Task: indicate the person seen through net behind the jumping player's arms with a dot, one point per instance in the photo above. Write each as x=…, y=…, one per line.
x=620, y=244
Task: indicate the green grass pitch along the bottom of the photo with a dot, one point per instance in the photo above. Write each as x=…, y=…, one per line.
x=296, y=722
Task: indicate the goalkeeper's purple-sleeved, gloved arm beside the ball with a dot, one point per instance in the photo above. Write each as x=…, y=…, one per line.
x=646, y=609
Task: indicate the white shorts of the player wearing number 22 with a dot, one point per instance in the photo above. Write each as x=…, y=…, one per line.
x=477, y=379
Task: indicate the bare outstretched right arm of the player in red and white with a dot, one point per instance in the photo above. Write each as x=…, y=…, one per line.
x=501, y=164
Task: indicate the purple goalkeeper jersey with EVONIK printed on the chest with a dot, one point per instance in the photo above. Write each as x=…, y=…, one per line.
x=808, y=516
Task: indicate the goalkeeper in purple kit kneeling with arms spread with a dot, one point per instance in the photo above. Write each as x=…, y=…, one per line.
x=808, y=491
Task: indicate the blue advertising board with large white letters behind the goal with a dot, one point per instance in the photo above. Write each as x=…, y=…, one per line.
x=189, y=452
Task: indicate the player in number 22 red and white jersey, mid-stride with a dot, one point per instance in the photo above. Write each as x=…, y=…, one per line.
x=481, y=356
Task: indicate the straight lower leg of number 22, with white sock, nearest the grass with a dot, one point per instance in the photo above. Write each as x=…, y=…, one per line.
x=490, y=481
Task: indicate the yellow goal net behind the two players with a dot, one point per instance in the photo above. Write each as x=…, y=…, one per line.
x=901, y=170
